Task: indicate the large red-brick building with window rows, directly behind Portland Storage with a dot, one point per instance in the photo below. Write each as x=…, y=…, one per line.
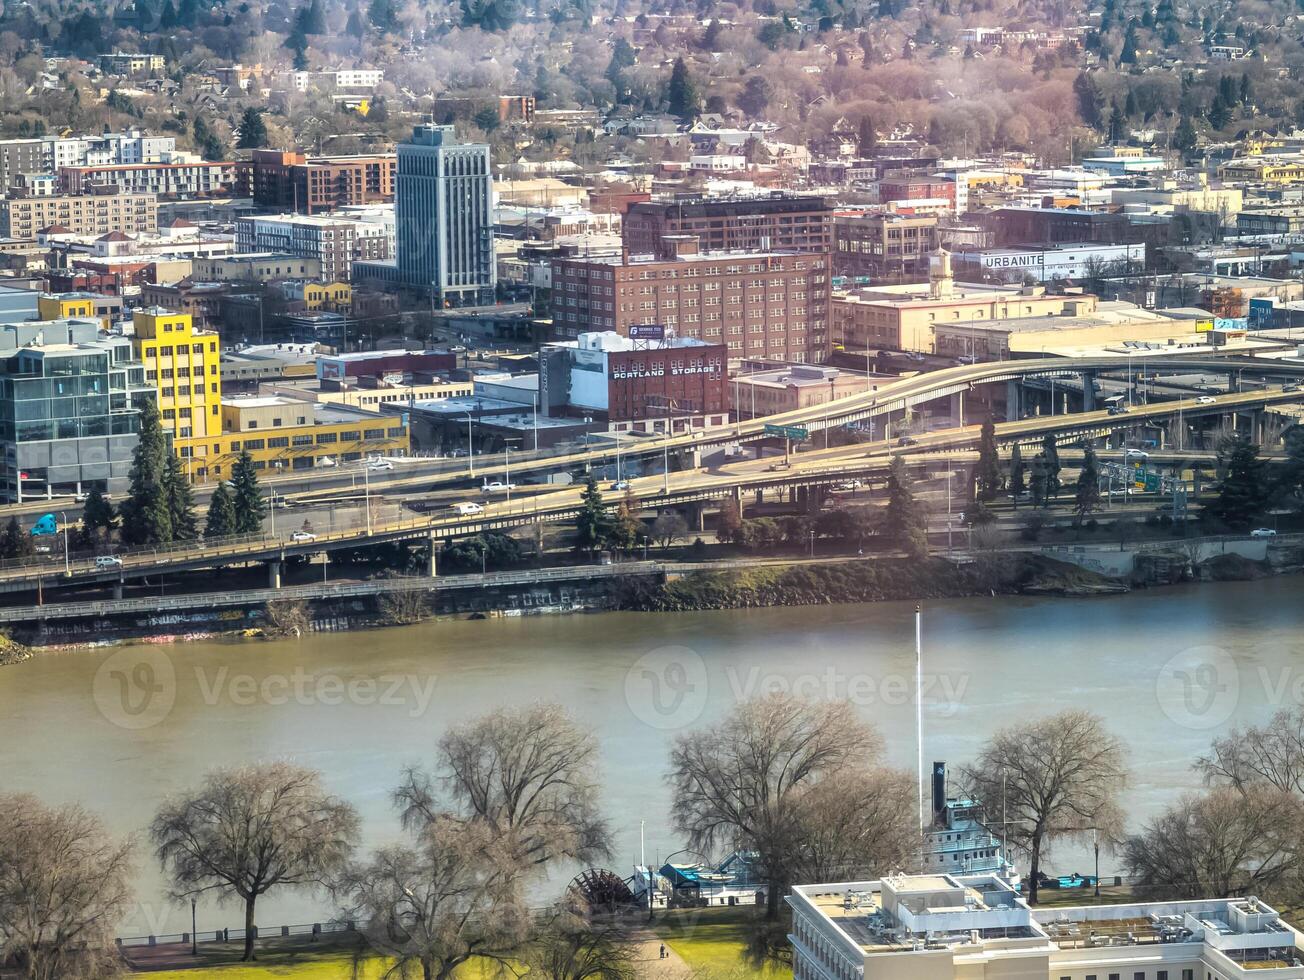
x=757, y=303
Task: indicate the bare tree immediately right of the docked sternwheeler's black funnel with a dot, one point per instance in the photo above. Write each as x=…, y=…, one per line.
x=1057, y=777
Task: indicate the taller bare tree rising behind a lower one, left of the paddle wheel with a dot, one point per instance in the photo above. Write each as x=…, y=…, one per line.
x=529, y=773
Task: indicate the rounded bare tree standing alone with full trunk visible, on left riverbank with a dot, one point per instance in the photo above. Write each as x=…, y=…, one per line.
x=248, y=831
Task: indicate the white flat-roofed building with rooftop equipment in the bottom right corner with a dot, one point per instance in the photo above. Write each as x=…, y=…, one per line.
x=945, y=927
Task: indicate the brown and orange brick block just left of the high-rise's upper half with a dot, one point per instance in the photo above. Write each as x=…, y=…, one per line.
x=291, y=182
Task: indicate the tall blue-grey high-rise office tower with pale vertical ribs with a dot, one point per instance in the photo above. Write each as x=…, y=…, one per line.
x=444, y=221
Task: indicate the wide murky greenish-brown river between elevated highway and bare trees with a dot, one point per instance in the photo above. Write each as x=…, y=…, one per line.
x=119, y=729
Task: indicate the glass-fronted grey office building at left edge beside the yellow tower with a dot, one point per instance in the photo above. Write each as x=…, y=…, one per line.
x=70, y=409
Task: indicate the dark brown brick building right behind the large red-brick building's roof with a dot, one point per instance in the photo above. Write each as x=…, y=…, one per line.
x=775, y=223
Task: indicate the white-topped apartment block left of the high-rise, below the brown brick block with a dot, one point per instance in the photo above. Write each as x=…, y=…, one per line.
x=334, y=243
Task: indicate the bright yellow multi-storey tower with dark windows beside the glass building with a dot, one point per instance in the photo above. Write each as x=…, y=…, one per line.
x=182, y=363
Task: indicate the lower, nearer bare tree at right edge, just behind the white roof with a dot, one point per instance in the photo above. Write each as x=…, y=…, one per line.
x=1221, y=844
